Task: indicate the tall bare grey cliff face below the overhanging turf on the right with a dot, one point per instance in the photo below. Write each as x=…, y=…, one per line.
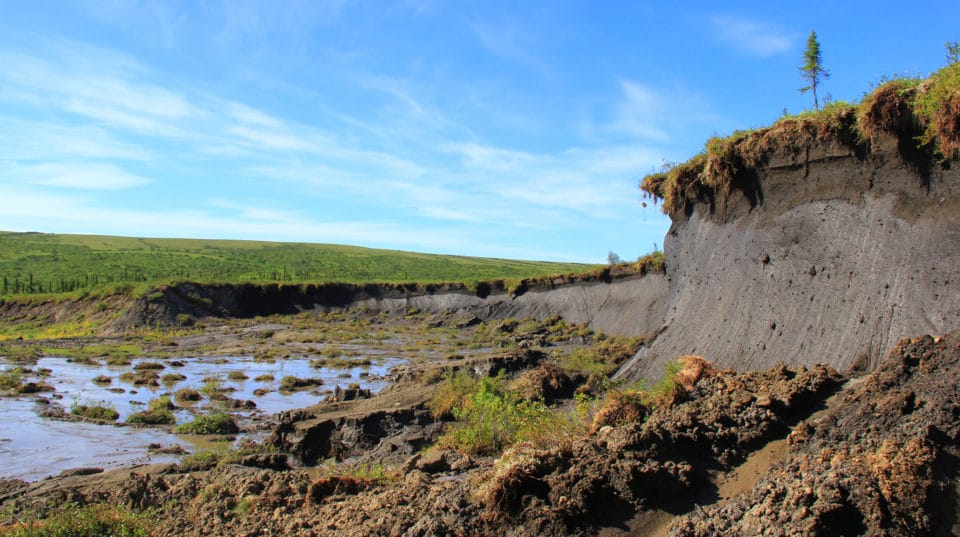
x=824, y=252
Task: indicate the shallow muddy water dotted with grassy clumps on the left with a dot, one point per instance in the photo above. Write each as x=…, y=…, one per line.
x=32, y=447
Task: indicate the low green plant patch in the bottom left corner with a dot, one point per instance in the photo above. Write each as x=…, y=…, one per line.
x=98, y=520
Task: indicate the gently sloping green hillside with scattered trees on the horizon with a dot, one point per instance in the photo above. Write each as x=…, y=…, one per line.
x=54, y=263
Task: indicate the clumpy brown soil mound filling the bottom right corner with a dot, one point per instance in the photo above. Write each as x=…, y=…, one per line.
x=882, y=461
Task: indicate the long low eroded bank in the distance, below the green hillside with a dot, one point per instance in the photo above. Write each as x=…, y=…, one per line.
x=624, y=300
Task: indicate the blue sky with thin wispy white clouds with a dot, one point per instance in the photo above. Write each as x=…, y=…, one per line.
x=502, y=129
